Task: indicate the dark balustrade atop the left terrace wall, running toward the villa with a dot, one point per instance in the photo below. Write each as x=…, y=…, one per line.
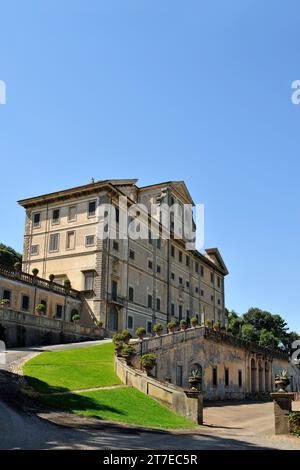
x=36, y=281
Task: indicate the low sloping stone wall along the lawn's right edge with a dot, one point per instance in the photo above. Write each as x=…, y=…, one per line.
x=181, y=402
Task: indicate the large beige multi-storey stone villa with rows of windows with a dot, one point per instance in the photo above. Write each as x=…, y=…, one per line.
x=126, y=282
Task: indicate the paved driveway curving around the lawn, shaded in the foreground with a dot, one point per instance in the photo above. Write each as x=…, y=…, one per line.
x=227, y=426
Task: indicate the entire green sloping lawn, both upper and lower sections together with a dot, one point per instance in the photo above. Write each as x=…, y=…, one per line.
x=76, y=369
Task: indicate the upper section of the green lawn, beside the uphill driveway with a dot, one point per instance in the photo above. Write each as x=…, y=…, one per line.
x=71, y=370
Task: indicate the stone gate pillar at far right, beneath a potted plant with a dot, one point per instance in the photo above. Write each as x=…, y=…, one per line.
x=282, y=408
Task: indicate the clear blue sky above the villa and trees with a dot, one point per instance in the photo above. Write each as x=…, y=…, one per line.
x=162, y=90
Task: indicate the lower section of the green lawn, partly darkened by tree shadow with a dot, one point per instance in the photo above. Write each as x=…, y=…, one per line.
x=125, y=405
